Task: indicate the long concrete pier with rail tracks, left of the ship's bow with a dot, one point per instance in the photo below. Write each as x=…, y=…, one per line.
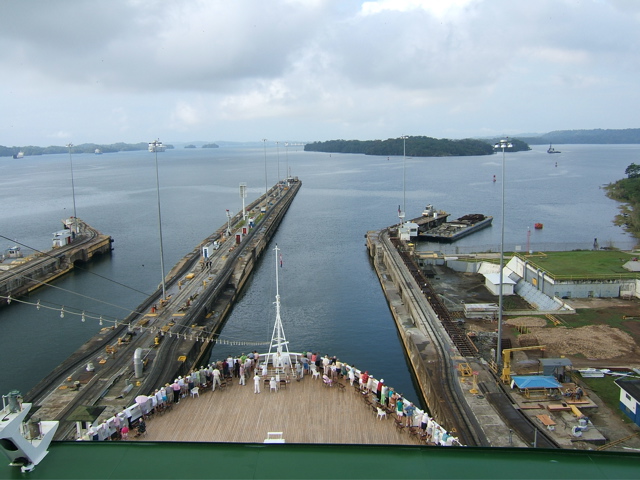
x=167, y=336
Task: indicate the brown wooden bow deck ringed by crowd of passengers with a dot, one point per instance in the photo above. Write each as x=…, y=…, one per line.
x=305, y=412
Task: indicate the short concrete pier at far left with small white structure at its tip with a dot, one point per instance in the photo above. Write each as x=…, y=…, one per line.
x=19, y=276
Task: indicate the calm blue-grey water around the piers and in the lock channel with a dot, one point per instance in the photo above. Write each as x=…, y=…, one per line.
x=331, y=299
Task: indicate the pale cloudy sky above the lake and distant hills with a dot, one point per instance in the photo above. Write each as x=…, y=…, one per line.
x=303, y=70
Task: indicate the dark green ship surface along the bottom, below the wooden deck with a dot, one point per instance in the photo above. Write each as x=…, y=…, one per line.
x=157, y=460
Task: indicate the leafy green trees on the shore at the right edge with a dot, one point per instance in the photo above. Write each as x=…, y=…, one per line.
x=627, y=190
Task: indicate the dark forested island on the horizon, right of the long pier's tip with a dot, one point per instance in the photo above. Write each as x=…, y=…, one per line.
x=415, y=147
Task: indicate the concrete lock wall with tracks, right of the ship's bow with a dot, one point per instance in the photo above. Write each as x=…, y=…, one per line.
x=478, y=410
